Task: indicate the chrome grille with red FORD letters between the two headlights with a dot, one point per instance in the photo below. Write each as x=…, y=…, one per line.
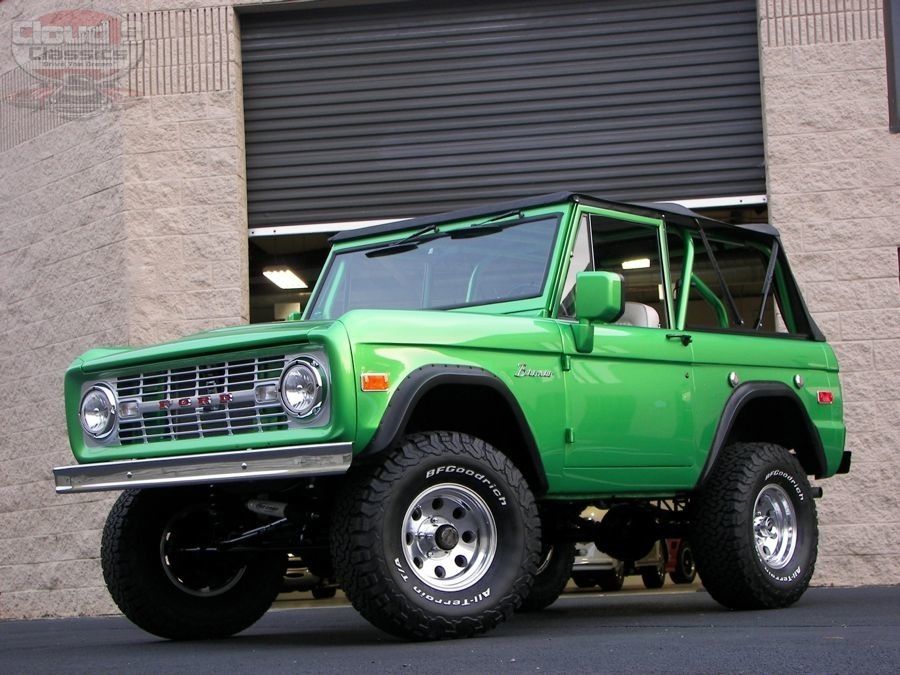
x=217, y=399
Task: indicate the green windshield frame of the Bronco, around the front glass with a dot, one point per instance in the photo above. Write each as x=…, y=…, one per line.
x=556, y=213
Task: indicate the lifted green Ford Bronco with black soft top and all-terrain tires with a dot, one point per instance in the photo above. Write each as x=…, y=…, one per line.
x=459, y=389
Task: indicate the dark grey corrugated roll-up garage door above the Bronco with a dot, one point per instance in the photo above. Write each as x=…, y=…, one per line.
x=401, y=109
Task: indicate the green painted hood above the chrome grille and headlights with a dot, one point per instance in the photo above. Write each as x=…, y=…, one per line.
x=220, y=340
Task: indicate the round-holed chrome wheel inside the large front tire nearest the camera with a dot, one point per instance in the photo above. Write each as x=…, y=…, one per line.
x=449, y=537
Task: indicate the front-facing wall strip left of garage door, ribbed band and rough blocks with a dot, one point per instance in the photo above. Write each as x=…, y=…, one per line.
x=185, y=199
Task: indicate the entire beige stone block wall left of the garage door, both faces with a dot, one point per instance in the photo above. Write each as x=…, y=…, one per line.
x=123, y=227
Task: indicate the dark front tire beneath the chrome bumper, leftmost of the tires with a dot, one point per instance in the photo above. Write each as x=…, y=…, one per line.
x=157, y=574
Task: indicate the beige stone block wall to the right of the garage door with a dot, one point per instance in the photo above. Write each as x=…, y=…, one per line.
x=834, y=187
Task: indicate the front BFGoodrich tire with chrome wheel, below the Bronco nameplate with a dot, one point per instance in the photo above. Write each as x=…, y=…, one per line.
x=438, y=540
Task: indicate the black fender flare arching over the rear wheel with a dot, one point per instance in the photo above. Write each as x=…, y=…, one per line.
x=740, y=397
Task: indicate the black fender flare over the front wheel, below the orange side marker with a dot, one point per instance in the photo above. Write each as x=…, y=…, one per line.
x=426, y=378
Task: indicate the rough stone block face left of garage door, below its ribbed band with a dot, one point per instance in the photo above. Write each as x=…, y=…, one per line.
x=185, y=206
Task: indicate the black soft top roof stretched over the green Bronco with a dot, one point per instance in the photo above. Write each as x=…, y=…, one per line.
x=670, y=211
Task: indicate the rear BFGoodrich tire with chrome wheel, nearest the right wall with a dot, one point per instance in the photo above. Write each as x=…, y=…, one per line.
x=755, y=532
